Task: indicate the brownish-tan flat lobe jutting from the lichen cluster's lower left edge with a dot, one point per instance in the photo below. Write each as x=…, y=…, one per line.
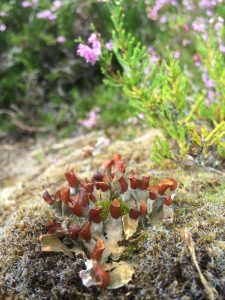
x=51, y=243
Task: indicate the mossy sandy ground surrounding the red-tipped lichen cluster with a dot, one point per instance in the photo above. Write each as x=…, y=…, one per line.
x=166, y=269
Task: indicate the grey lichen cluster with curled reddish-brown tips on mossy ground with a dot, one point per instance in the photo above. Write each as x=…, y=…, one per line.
x=101, y=212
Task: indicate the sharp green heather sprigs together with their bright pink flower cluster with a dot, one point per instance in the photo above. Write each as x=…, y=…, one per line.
x=157, y=87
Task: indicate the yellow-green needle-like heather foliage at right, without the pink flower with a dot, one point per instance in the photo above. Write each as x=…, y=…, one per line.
x=163, y=92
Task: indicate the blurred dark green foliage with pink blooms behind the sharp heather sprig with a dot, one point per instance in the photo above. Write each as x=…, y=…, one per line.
x=46, y=87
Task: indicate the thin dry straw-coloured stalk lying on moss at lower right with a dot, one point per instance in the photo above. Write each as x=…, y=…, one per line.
x=187, y=237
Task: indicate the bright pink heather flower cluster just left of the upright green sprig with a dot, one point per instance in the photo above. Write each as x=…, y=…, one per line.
x=91, y=55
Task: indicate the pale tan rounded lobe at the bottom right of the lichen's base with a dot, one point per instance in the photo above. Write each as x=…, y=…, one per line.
x=120, y=275
